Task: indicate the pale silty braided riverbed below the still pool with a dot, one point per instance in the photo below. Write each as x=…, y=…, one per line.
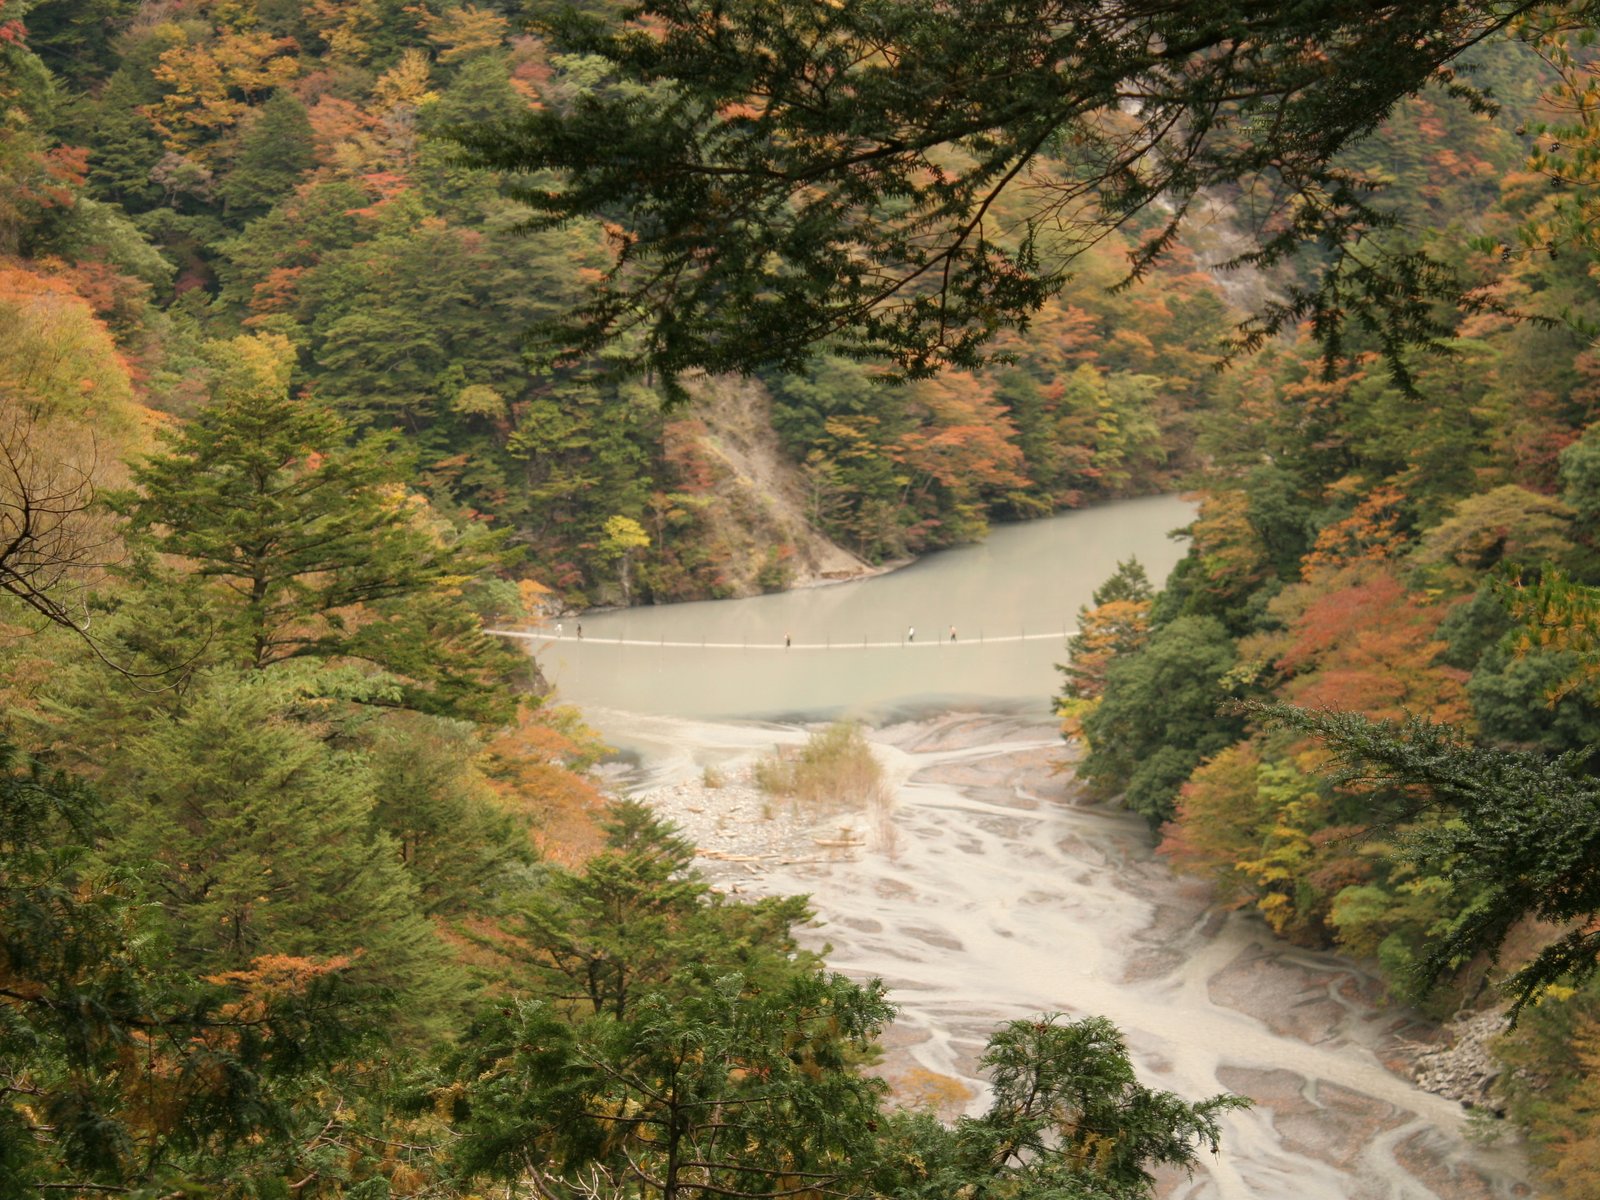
x=988, y=890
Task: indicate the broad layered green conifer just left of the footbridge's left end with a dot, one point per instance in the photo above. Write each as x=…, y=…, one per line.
x=313, y=543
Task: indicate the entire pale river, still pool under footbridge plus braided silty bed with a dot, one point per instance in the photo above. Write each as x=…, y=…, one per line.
x=988, y=889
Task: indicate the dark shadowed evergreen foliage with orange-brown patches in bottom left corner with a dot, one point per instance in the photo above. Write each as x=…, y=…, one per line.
x=126, y=1071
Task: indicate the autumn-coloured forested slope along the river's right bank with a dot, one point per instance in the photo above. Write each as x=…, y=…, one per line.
x=1423, y=558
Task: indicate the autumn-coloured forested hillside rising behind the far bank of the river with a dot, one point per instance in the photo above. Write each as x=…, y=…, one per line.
x=193, y=174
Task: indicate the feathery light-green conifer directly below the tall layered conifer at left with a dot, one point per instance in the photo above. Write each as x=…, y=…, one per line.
x=266, y=841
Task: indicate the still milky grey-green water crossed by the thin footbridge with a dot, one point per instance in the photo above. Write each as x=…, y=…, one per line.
x=873, y=649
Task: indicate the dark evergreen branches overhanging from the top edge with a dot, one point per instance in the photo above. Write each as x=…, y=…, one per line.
x=900, y=182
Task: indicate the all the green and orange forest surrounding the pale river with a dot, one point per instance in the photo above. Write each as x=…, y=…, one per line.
x=305, y=892
